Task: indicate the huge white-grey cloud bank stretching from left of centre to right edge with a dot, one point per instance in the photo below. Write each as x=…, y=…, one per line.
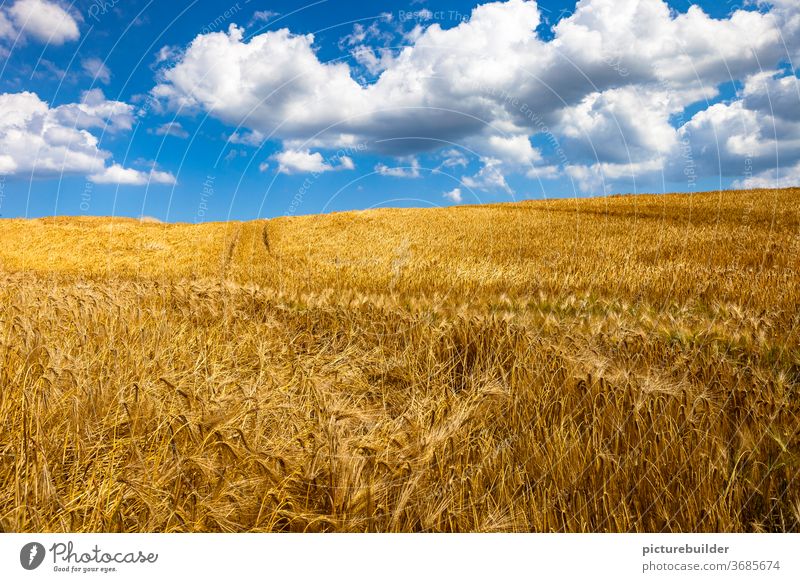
x=606, y=88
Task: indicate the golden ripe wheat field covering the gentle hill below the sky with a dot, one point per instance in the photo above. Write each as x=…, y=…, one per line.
x=629, y=363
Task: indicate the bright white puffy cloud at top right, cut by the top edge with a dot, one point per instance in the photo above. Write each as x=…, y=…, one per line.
x=648, y=41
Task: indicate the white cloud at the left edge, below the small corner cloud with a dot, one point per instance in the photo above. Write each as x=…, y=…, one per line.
x=37, y=140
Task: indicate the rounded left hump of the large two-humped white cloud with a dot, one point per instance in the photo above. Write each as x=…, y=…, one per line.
x=273, y=81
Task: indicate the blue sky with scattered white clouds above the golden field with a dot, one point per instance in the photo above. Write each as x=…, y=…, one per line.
x=232, y=110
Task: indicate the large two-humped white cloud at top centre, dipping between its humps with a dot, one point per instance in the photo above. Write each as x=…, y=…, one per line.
x=274, y=83
